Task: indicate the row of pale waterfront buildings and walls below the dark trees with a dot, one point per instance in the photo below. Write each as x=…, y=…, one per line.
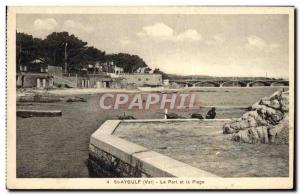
x=106, y=75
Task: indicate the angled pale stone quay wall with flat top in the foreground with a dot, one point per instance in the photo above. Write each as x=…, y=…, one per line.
x=111, y=156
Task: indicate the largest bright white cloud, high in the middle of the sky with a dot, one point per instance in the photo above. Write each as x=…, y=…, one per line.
x=161, y=31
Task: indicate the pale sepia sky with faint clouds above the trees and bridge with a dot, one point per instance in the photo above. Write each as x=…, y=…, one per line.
x=184, y=44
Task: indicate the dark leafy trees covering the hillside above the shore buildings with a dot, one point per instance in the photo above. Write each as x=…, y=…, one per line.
x=59, y=48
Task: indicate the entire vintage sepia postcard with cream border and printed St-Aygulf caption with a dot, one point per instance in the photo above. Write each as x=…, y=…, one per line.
x=173, y=97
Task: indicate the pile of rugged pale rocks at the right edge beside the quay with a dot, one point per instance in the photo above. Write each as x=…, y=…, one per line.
x=266, y=122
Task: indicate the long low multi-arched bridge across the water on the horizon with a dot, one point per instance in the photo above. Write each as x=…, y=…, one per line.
x=229, y=83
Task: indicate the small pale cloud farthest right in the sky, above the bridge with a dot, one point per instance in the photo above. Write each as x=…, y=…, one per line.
x=257, y=43
